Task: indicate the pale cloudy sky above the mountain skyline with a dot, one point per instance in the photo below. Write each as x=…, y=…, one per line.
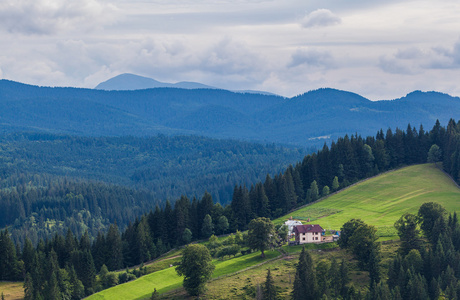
x=381, y=50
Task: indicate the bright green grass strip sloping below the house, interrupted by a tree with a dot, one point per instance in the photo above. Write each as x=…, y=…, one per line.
x=167, y=279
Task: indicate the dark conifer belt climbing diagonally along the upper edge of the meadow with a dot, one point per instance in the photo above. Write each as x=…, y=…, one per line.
x=347, y=160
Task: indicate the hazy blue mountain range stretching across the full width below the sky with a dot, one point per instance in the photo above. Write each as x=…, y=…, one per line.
x=308, y=119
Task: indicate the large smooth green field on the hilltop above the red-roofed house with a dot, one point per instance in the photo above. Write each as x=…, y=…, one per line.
x=381, y=200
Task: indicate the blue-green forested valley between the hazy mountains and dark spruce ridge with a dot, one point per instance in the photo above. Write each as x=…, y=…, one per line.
x=50, y=183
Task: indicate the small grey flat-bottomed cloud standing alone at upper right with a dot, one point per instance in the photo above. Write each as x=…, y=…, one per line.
x=311, y=57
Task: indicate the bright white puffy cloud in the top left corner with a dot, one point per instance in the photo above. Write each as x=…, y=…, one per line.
x=44, y=17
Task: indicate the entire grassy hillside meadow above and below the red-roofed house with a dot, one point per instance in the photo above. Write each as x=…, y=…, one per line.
x=379, y=201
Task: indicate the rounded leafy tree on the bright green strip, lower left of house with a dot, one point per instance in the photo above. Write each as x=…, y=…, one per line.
x=196, y=267
